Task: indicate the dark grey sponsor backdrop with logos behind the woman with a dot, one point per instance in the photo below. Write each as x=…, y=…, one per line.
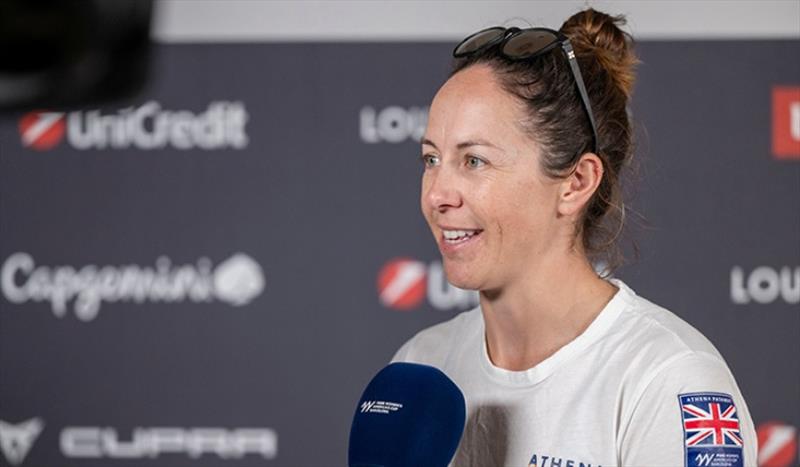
x=210, y=272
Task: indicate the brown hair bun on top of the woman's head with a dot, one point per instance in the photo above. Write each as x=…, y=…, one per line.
x=598, y=34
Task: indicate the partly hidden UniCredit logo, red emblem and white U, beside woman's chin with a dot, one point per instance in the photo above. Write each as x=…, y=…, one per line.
x=404, y=284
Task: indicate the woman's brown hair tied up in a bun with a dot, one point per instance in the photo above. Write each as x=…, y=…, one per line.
x=557, y=121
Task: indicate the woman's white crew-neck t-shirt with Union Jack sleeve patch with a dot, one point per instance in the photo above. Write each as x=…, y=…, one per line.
x=639, y=387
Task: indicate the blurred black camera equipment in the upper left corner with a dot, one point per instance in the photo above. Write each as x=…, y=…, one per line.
x=56, y=53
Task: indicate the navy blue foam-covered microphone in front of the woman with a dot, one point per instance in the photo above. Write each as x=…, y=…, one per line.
x=409, y=415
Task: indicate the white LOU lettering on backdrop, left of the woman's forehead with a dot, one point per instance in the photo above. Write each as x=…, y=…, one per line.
x=392, y=124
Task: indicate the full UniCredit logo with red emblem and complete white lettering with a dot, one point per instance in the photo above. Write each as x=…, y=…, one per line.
x=147, y=127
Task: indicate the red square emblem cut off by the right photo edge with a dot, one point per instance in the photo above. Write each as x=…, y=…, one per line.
x=786, y=122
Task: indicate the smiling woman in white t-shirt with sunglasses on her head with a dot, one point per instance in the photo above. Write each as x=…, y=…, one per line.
x=560, y=367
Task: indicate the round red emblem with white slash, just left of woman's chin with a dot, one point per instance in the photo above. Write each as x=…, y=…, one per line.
x=401, y=283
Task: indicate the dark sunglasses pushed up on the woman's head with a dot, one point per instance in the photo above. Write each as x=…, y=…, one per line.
x=520, y=44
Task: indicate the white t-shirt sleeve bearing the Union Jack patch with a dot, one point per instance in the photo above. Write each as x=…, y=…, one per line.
x=690, y=414
